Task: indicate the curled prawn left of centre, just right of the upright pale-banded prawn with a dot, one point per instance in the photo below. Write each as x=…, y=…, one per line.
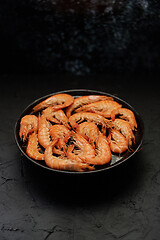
x=63, y=134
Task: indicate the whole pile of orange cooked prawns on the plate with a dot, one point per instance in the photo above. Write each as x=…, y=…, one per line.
x=76, y=134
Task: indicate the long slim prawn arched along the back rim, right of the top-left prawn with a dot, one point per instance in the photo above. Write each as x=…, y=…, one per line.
x=80, y=101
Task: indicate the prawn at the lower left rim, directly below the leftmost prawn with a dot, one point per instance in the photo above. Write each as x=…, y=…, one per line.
x=33, y=149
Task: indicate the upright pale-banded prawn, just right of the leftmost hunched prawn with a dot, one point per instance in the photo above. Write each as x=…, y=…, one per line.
x=43, y=132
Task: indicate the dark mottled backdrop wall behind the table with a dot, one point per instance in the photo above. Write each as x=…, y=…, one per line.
x=79, y=37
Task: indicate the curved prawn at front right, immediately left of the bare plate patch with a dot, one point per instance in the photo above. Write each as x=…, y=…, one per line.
x=103, y=152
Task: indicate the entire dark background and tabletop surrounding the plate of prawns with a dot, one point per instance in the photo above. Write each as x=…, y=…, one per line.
x=112, y=47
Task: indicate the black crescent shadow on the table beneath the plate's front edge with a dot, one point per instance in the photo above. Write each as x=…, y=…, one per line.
x=84, y=189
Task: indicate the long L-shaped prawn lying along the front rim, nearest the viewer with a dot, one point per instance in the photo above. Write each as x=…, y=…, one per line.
x=60, y=163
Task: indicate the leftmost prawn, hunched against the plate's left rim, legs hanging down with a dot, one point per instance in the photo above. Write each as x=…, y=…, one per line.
x=28, y=124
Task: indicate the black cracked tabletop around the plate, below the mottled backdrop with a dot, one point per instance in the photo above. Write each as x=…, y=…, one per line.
x=122, y=203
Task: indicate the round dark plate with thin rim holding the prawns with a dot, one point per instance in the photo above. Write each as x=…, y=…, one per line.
x=116, y=159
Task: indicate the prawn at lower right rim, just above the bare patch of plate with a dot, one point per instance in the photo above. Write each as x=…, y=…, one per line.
x=118, y=143
